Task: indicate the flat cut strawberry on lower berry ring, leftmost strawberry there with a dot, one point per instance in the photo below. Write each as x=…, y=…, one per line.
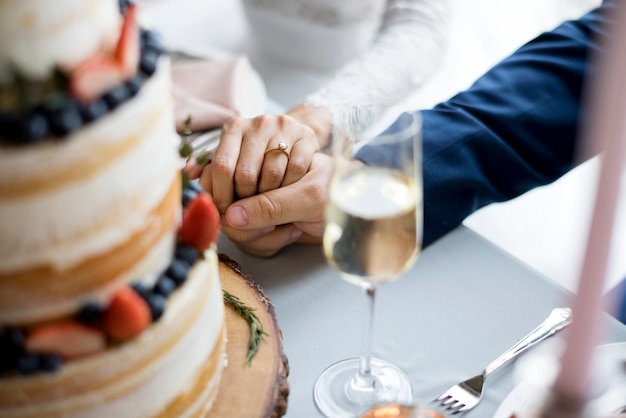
x=69, y=339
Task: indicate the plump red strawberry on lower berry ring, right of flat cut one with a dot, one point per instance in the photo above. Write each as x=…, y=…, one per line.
x=126, y=316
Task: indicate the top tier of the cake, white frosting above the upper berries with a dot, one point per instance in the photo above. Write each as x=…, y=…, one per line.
x=37, y=36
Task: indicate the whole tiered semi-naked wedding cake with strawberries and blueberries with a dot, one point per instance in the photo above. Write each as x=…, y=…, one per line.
x=110, y=300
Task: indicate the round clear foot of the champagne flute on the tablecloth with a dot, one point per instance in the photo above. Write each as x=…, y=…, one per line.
x=336, y=394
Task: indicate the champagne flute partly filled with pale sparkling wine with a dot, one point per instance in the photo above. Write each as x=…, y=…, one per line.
x=372, y=235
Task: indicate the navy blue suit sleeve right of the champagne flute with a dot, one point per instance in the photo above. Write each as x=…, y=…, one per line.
x=514, y=129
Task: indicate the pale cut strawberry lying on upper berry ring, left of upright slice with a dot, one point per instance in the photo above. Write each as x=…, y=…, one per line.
x=93, y=77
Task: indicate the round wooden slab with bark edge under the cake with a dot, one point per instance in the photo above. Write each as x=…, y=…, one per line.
x=258, y=389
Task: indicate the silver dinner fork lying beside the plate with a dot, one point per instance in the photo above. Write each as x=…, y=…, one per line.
x=465, y=395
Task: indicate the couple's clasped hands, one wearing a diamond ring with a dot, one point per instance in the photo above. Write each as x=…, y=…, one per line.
x=269, y=197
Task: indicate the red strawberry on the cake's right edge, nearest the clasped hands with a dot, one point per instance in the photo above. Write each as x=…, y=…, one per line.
x=201, y=221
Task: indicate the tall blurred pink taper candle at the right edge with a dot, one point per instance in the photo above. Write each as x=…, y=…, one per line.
x=607, y=130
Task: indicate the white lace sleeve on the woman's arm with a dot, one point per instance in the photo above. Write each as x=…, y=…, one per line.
x=405, y=52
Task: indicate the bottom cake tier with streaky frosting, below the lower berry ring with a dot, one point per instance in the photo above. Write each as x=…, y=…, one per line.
x=171, y=369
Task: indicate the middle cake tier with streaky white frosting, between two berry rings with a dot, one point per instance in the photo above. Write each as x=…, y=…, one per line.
x=89, y=212
